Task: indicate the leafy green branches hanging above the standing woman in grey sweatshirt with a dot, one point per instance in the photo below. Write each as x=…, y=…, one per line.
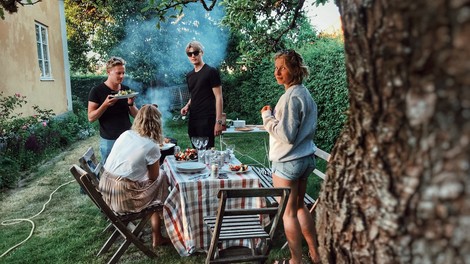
x=264, y=26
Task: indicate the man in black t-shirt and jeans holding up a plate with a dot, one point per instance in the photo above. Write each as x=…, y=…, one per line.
x=111, y=113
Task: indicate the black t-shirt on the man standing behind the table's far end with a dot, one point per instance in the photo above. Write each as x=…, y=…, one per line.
x=200, y=86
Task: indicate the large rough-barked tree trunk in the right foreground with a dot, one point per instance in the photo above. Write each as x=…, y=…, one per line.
x=398, y=187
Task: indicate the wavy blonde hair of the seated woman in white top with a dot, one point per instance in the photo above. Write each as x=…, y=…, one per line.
x=148, y=123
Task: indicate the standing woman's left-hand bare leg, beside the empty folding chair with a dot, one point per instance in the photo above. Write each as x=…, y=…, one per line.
x=291, y=222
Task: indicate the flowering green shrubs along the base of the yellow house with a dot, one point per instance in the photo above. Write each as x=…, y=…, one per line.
x=26, y=141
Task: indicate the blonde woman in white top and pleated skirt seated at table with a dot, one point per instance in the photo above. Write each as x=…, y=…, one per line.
x=132, y=179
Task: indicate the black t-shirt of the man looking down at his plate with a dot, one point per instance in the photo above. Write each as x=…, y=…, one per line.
x=115, y=119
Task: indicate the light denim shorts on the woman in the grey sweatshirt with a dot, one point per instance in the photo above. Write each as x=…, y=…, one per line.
x=294, y=169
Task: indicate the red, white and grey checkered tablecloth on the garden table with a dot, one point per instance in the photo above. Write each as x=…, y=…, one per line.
x=190, y=200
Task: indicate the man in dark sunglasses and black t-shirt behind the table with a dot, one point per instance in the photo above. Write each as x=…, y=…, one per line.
x=205, y=105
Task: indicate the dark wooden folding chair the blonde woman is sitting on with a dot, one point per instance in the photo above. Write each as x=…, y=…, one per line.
x=129, y=226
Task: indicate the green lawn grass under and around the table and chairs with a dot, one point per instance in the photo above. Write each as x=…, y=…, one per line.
x=69, y=230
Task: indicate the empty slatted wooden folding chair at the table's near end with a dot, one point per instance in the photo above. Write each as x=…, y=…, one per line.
x=237, y=224
